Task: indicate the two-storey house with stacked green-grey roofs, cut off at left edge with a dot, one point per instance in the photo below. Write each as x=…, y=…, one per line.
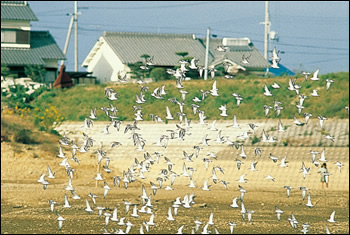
x=21, y=46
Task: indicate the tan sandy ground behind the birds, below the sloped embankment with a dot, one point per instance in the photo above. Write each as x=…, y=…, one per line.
x=25, y=207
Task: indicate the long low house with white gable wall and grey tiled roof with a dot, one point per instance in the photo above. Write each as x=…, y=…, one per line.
x=113, y=51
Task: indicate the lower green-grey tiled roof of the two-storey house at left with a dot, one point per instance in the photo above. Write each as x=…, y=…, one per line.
x=42, y=46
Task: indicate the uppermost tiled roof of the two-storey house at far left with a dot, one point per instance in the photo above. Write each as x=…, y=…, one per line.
x=17, y=10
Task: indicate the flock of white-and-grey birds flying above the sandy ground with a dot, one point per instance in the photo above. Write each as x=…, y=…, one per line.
x=140, y=168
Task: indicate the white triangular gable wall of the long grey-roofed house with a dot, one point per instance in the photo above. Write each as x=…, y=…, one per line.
x=105, y=65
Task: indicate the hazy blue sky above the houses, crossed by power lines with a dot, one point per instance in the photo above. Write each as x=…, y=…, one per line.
x=312, y=34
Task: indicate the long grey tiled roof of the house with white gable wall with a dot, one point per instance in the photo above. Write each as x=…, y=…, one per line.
x=129, y=47
